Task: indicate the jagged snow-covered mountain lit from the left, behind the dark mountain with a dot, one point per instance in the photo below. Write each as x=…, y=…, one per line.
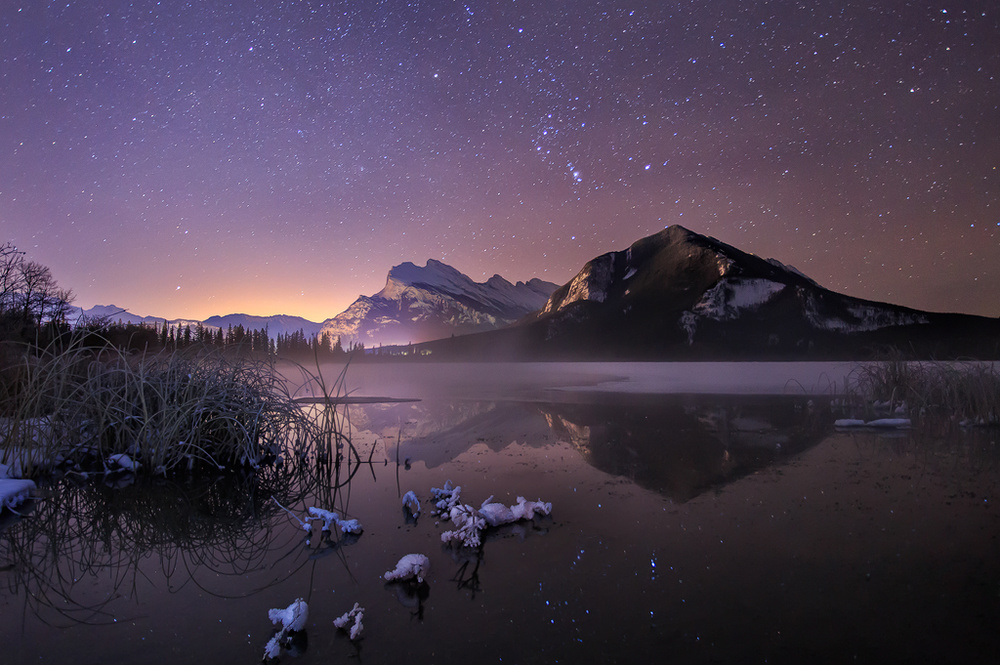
x=434, y=301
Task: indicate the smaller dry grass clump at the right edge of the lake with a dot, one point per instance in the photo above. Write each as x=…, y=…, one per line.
x=967, y=392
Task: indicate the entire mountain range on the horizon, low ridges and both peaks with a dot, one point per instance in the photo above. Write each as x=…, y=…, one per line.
x=673, y=295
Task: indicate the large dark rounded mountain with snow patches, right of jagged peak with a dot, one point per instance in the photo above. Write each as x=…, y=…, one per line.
x=681, y=295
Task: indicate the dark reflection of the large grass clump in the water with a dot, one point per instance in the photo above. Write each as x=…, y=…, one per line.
x=87, y=544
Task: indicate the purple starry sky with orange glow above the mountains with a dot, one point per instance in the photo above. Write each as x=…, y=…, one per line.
x=185, y=159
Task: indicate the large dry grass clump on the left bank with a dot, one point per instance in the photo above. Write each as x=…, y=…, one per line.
x=161, y=411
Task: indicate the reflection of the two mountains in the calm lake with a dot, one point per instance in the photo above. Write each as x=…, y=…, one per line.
x=675, y=445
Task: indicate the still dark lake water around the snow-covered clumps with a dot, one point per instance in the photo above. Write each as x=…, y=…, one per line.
x=686, y=527
